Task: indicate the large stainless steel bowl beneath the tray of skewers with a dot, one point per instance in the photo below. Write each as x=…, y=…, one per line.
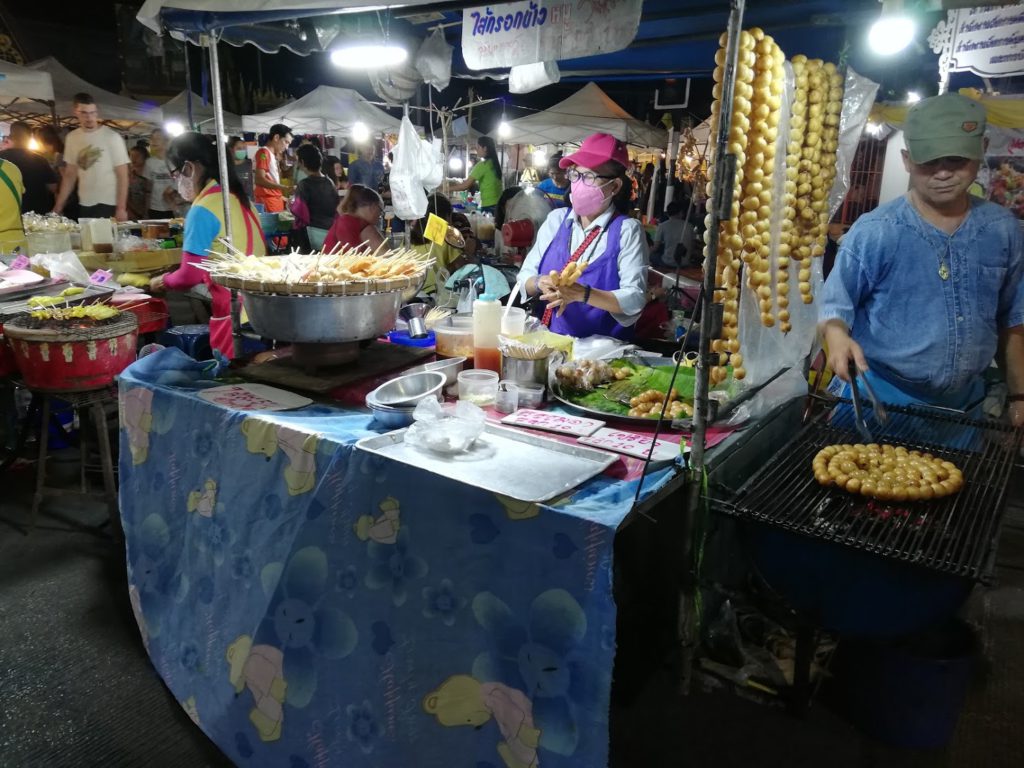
x=323, y=320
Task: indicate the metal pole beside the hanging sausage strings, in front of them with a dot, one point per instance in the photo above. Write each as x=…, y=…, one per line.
x=711, y=323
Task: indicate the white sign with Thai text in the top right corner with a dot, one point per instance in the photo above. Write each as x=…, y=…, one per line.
x=989, y=41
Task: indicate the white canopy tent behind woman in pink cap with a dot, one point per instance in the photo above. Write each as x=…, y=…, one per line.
x=588, y=111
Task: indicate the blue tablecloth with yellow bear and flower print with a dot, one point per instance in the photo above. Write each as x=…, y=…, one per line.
x=311, y=605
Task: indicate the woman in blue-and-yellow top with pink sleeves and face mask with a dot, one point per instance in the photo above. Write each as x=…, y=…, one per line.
x=192, y=160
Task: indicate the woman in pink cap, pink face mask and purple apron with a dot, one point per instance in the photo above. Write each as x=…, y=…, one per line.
x=596, y=233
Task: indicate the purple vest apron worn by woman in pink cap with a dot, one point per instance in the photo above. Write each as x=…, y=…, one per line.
x=582, y=320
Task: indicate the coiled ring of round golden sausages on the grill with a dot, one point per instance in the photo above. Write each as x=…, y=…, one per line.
x=886, y=473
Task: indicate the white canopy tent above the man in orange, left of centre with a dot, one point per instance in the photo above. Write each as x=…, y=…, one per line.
x=325, y=110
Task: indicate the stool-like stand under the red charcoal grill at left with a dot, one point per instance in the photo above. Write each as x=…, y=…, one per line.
x=87, y=405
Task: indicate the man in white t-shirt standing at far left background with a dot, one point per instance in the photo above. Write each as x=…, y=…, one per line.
x=97, y=163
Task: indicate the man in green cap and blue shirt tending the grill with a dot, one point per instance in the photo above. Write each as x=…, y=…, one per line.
x=928, y=289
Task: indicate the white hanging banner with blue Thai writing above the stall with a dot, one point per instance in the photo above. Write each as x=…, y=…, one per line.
x=513, y=34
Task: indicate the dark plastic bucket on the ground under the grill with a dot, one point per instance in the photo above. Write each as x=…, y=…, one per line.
x=910, y=693
